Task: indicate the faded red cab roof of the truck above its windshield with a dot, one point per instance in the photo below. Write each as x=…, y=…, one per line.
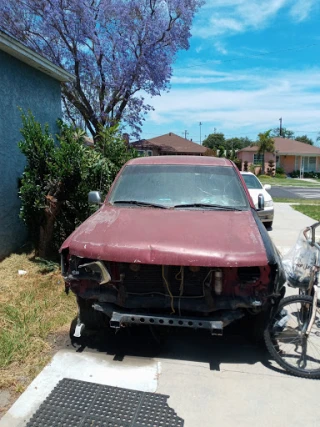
x=181, y=160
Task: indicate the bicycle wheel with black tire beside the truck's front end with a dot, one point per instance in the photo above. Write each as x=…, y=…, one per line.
x=286, y=340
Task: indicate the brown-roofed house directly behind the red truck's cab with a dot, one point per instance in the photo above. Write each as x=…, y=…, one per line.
x=168, y=144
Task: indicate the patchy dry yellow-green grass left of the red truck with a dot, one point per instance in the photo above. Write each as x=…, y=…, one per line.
x=34, y=311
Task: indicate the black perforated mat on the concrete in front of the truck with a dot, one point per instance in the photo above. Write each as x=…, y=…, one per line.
x=75, y=403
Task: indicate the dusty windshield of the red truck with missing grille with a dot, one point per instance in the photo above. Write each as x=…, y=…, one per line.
x=179, y=185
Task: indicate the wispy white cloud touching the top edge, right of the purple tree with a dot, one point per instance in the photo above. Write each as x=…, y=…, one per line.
x=219, y=17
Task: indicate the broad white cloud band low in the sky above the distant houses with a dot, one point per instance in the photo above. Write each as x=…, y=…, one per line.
x=257, y=106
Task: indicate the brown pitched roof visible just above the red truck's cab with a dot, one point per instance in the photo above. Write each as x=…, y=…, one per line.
x=171, y=143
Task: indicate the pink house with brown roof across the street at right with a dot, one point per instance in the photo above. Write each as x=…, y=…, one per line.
x=289, y=154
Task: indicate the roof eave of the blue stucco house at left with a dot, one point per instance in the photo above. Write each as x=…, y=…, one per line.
x=18, y=50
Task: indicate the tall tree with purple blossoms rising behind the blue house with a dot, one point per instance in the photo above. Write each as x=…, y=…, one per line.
x=116, y=49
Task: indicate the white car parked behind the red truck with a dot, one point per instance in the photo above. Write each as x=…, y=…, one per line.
x=255, y=188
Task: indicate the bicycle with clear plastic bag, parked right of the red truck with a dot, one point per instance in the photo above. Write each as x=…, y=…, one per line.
x=292, y=335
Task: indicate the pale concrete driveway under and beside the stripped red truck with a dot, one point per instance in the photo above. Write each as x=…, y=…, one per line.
x=211, y=381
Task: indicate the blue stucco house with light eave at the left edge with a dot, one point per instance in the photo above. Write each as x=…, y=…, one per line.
x=31, y=82
